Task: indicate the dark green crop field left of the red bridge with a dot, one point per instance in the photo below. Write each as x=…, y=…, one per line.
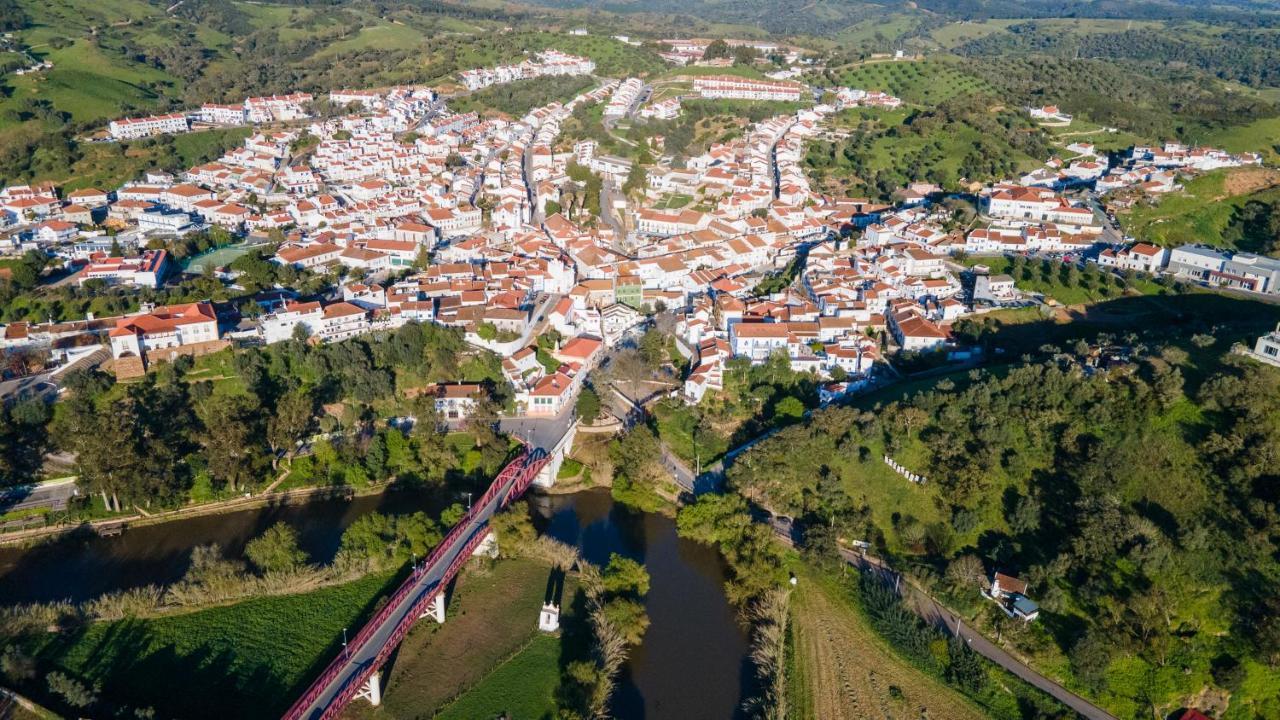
x=246, y=660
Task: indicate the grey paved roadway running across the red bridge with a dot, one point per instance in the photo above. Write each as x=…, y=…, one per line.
x=362, y=658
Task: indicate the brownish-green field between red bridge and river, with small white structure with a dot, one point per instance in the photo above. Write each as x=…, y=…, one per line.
x=487, y=659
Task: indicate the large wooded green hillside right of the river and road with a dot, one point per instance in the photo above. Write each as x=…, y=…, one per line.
x=1124, y=484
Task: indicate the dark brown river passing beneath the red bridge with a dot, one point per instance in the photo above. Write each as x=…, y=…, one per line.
x=693, y=662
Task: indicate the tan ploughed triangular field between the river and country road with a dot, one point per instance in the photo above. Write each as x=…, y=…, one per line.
x=847, y=673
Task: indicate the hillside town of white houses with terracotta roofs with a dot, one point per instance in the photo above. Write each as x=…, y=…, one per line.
x=431, y=216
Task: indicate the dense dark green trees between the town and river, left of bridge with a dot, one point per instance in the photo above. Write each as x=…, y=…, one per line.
x=198, y=431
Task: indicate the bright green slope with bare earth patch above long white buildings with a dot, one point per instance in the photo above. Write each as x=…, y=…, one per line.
x=1204, y=211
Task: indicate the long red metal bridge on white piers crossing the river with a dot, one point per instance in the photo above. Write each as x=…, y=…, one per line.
x=351, y=673
